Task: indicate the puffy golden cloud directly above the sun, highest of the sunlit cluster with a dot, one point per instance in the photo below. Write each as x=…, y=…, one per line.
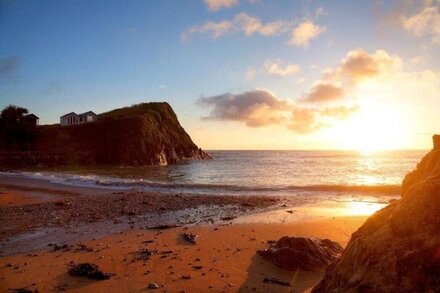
x=359, y=65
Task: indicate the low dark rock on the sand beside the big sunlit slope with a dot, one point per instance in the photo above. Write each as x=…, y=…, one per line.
x=293, y=253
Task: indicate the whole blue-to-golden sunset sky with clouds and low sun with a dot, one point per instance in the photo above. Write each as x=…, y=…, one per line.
x=240, y=74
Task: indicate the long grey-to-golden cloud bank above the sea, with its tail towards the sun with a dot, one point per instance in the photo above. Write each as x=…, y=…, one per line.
x=260, y=108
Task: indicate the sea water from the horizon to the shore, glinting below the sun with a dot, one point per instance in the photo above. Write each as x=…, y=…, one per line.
x=289, y=173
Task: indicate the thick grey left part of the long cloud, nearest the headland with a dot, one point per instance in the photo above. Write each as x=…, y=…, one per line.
x=255, y=108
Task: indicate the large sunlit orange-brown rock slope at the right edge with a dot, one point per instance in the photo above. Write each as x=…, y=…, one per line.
x=398, y=248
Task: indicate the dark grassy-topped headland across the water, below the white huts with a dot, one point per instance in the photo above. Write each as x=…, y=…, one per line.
x=144, y=134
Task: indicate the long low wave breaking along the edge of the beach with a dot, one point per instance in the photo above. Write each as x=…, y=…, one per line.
x=109, y=182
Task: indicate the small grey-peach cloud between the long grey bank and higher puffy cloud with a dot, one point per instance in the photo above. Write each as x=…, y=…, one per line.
x=323, y=92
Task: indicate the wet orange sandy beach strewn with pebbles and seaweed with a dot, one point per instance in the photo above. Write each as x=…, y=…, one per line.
x=47, y=227
